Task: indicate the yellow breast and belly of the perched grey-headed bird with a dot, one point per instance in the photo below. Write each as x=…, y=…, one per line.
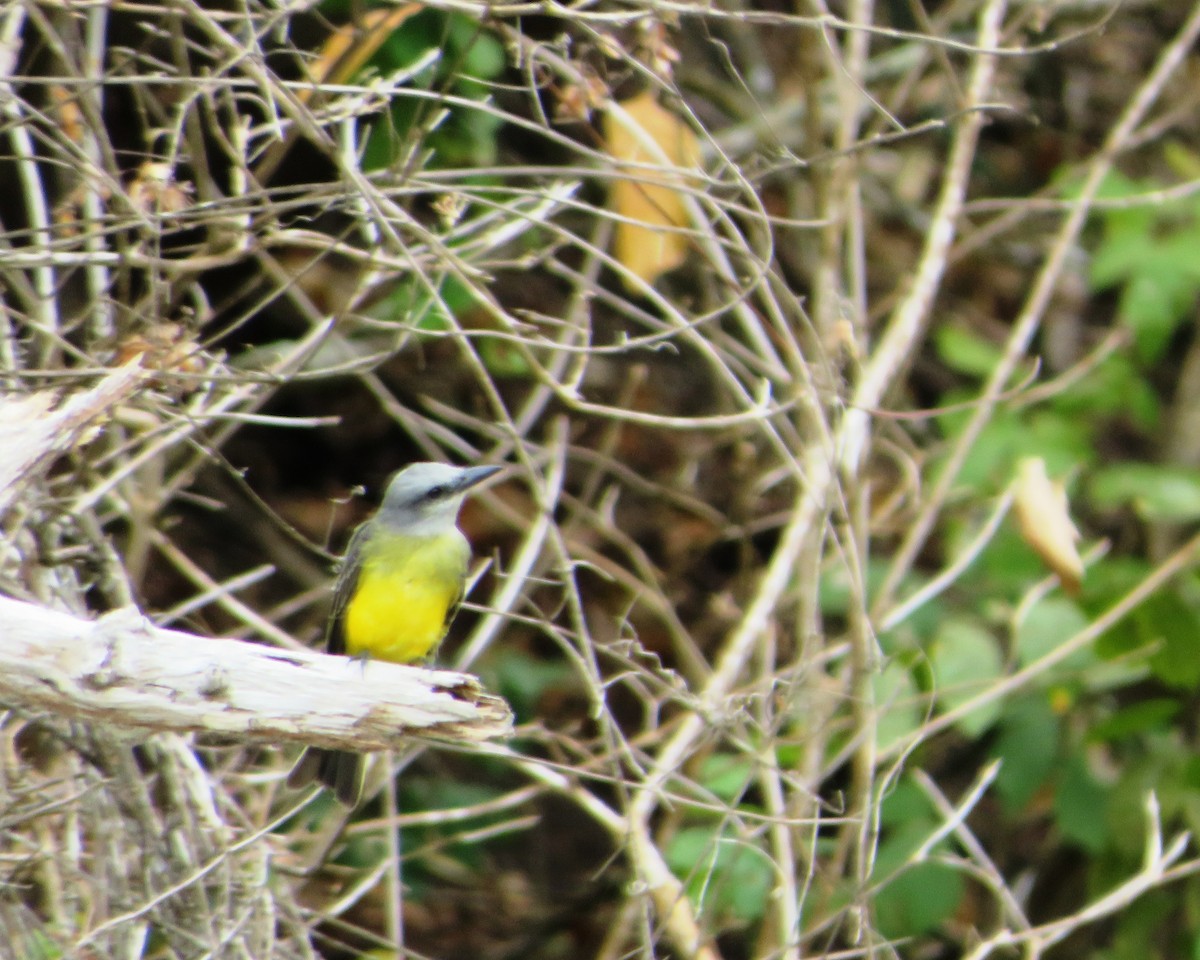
x=404, y=596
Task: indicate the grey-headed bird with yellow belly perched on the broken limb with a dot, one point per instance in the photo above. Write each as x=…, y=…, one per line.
x=397, y=593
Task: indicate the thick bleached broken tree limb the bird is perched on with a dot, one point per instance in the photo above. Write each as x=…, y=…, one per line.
x=123, y=670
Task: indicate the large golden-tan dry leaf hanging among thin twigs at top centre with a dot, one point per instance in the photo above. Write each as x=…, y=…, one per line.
x=650, y=202
